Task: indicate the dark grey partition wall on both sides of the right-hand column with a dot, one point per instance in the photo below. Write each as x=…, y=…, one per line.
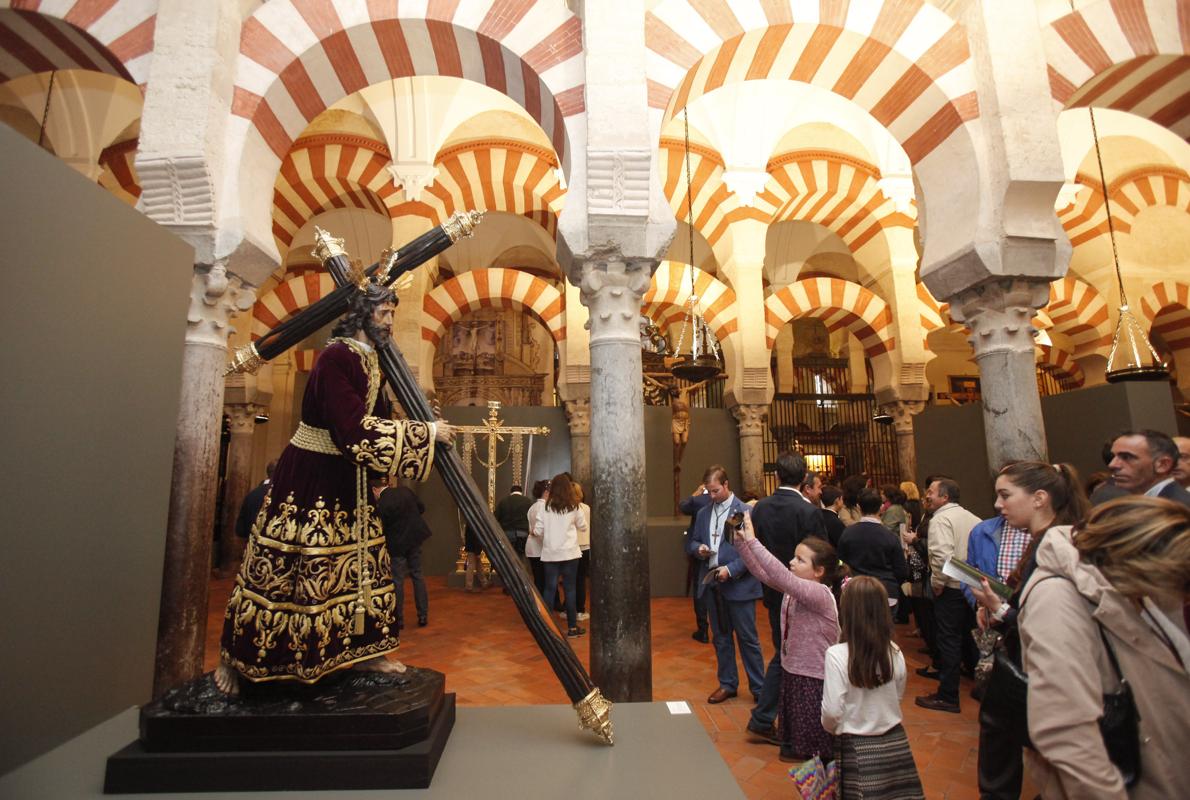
x=950, y=440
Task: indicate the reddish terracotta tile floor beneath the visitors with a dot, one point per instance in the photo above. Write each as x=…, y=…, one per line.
x=490, y=659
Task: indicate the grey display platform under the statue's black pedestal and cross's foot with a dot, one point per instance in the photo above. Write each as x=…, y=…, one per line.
x=521, y=752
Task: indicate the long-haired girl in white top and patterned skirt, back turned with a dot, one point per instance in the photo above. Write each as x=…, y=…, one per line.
x=862, y=696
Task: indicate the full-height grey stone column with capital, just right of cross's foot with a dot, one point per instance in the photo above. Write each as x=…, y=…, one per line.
x=621, y=647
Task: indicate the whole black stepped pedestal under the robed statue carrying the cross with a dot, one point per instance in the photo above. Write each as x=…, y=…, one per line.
x=349, y=732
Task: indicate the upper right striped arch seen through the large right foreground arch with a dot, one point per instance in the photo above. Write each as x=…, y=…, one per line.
x=843, y=195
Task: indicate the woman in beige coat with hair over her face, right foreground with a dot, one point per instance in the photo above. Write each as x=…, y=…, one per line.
x=1126, y=570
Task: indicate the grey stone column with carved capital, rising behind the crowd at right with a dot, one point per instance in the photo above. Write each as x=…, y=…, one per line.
x=999, y=314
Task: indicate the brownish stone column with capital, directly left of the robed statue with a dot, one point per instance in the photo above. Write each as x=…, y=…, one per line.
x=183, y=622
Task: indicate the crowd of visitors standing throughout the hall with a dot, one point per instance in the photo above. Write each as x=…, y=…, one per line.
x=1079, y=607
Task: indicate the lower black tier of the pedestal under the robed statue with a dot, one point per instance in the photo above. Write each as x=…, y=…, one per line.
x=135, y=770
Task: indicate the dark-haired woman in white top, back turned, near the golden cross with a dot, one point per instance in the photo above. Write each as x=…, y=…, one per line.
x=559, y=526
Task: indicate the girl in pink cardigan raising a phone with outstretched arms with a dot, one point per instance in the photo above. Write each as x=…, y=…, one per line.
x=810, y=624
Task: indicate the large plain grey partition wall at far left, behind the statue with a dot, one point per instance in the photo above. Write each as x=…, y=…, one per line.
x=92, y=318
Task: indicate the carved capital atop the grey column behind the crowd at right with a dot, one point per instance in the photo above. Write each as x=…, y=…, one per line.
x=1000, y=314
